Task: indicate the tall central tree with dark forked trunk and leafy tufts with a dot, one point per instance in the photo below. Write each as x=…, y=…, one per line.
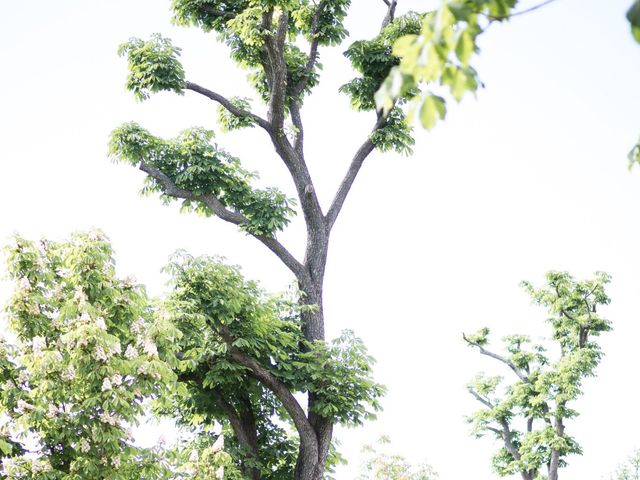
x=249, y=359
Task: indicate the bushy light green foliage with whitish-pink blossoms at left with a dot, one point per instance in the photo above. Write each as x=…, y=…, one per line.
x=89, y=354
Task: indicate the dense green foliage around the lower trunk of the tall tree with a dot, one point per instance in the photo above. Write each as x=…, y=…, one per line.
x=220, y=314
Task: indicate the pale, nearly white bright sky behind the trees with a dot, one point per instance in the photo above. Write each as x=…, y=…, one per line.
x=529, y=175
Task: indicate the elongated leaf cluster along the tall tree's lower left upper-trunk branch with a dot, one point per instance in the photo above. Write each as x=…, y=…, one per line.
x=195, y=164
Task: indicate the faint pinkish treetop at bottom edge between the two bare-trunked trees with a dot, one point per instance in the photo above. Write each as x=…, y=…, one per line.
x=380, y=465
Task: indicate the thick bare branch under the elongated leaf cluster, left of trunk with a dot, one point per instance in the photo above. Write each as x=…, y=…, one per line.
x=224, y=213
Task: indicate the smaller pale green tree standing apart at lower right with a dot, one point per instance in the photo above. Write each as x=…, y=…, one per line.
x=528, y=415
